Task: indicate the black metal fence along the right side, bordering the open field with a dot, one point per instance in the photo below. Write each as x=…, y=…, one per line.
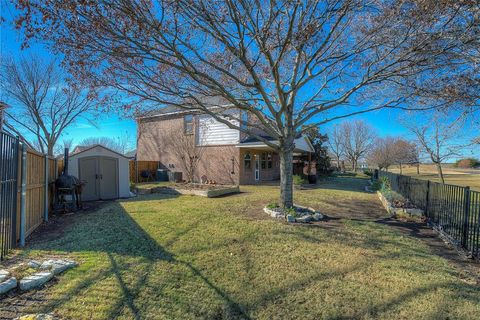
x=453, y=210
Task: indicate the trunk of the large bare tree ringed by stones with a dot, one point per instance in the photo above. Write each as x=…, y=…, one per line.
x=286, y=176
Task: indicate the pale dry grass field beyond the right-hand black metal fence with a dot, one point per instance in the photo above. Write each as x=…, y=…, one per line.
x=456, y=176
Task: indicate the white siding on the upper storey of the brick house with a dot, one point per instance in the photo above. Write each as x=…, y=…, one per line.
x=211, y=132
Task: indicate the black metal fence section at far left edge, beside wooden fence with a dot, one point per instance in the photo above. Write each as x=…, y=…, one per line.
x=9, y=147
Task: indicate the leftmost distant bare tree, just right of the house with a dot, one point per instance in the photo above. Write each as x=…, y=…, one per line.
x=358, y=139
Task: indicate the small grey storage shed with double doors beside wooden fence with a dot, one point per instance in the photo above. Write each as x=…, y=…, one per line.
x=105, y=172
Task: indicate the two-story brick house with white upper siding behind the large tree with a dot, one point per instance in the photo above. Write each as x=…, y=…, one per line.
x=228, y=155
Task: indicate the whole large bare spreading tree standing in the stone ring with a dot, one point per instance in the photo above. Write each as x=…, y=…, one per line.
x=287, y=63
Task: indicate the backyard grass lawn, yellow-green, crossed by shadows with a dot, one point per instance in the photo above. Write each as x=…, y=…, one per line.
x=189, y=257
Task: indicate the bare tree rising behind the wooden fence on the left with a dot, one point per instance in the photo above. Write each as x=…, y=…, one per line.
x=42, y=102
